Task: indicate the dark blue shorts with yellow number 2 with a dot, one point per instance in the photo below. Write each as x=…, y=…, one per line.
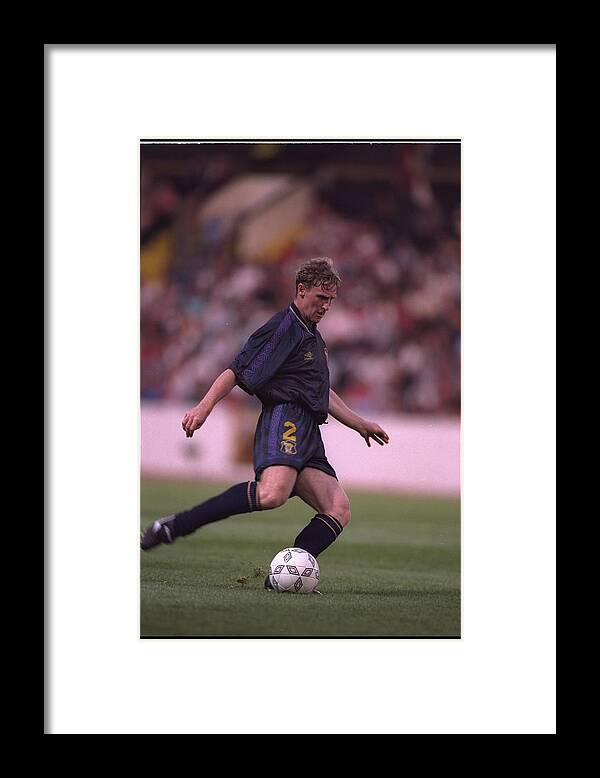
x=288, y=434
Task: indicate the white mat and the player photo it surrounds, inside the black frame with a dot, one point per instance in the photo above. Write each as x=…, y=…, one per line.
x=346, y=252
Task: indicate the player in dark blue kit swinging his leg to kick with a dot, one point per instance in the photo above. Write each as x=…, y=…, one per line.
x=283, y=363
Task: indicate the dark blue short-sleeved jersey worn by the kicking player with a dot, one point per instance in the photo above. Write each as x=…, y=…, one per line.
x=285, y=360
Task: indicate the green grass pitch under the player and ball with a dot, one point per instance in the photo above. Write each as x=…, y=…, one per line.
x=394, y=571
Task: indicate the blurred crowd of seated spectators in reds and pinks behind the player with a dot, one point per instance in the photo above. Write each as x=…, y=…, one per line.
x=393, y=334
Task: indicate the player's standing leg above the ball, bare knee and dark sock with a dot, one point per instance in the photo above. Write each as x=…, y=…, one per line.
x=325, y=495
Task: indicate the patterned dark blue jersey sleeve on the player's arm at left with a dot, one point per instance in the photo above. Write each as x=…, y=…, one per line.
x=264, y=353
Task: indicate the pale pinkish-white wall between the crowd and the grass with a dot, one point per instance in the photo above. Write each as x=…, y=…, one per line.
x=423, y=455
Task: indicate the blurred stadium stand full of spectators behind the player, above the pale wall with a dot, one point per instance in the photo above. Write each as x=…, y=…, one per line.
x=224, y=226
